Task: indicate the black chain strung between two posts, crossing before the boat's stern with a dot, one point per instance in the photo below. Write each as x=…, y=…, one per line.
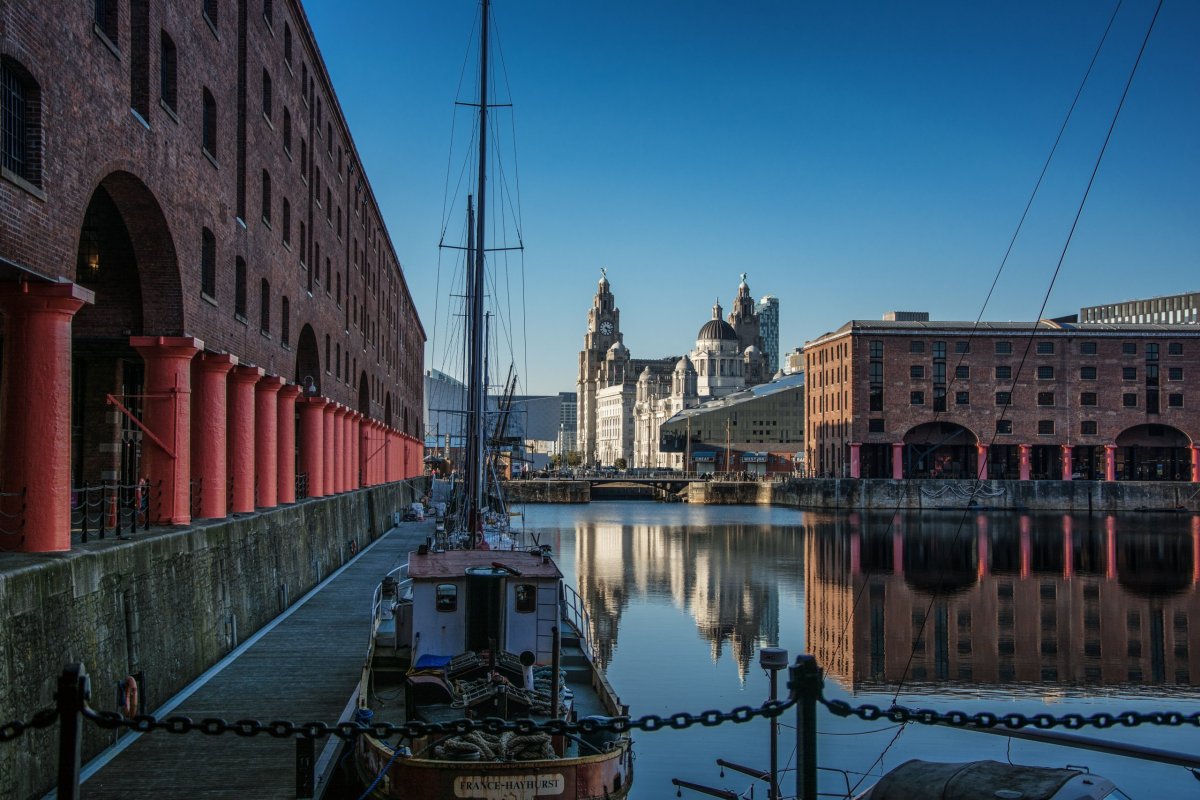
x=351, y=731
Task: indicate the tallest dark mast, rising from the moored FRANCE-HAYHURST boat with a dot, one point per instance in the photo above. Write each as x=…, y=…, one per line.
x=479, y=394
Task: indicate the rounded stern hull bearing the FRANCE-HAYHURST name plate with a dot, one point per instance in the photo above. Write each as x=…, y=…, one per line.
x=603, y=777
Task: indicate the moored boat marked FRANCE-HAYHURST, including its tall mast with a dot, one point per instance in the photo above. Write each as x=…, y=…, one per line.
x=478, y=624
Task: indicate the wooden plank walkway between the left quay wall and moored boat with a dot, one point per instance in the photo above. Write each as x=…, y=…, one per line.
x=307, y=669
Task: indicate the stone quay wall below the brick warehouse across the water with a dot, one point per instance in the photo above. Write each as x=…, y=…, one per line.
x=1075, y=497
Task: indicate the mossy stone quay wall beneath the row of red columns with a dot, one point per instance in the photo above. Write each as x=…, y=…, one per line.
x=167, y=604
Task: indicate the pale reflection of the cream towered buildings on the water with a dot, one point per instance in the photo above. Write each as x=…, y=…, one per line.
x=727, y=578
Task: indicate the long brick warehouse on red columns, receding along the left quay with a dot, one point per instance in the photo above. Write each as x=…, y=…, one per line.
x=199, y=292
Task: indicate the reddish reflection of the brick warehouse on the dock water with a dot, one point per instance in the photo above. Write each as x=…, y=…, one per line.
x=992, y=600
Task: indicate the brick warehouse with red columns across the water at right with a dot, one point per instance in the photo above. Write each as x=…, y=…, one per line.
x=1005, y=400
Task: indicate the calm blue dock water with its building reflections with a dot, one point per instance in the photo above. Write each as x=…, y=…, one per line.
x=947, y=611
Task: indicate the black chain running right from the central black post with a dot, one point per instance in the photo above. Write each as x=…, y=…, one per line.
x=1103, y=720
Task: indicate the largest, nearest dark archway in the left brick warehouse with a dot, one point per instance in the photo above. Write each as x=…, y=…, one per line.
x=124, y=244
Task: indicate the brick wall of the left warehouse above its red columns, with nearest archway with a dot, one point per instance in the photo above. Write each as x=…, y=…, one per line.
x=197, y=175
